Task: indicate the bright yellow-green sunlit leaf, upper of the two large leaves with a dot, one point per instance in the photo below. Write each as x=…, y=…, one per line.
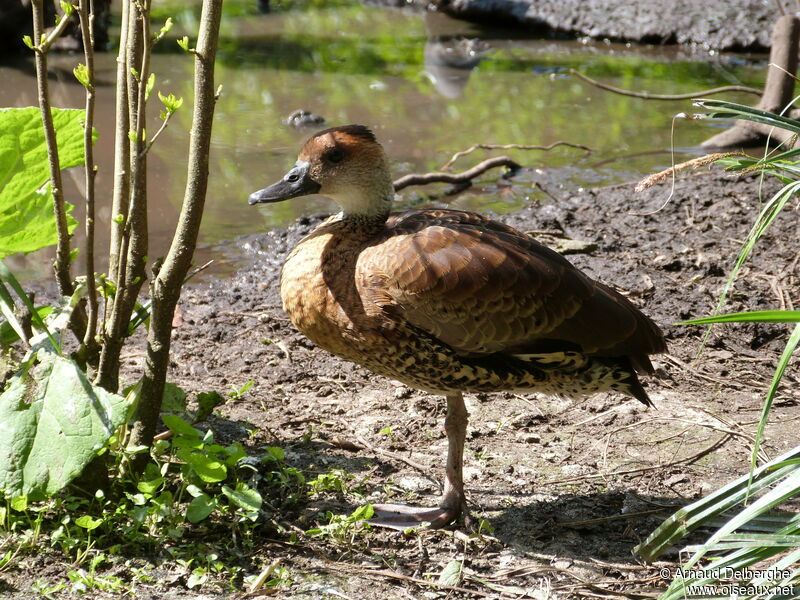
x=26, y=198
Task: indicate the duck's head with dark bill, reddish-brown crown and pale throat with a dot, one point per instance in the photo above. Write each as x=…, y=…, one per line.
x=346, y=164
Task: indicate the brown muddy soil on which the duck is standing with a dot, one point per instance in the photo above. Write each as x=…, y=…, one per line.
x=569, y=487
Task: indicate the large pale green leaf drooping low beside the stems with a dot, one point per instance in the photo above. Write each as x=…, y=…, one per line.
x=52, y=422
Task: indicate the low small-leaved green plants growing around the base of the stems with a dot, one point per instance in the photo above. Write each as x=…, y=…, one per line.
x=191, y=484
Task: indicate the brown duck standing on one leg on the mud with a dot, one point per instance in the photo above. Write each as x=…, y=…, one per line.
x=447, y=301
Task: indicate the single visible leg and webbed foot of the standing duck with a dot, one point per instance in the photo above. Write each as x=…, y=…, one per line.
x=399, y=516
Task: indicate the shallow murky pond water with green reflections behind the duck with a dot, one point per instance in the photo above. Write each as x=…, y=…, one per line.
x=427, y=85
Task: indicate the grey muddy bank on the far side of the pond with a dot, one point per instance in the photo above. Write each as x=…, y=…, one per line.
x=713, y=24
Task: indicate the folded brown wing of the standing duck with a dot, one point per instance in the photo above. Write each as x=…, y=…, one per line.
x=482, y=287
